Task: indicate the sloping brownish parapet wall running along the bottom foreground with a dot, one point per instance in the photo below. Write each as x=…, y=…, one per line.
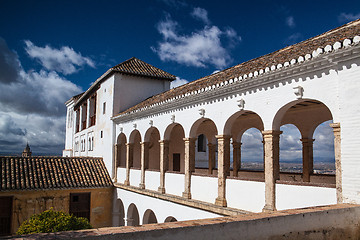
x=330, y=222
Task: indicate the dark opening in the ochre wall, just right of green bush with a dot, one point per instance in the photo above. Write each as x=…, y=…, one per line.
x=80, y=205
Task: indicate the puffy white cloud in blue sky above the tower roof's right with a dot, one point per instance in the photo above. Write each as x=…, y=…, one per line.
x=198, y=49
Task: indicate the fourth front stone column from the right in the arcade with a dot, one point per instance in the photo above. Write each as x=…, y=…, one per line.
x=189, y=163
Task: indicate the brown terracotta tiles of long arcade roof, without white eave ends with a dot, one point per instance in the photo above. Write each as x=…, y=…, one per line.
x=286, y=54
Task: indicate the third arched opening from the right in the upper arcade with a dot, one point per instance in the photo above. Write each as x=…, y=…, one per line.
x=204, y=130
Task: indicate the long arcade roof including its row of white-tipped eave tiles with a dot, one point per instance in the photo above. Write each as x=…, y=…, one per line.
x=275, y=62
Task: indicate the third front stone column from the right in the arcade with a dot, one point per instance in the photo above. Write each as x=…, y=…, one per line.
x=223, y=162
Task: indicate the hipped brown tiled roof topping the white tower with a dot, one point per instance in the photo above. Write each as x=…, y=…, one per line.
x=135, y=66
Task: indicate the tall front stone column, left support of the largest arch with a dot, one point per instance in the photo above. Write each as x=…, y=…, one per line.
x=271, y=149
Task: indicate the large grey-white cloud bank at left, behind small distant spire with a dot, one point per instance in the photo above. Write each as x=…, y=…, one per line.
x=32, y=108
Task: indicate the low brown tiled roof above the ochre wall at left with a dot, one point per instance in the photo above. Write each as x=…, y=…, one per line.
x=36, y=173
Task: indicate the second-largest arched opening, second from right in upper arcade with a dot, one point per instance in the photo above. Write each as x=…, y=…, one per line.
x=246, y=154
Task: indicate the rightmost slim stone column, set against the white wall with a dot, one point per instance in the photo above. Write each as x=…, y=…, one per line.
x=337, y=150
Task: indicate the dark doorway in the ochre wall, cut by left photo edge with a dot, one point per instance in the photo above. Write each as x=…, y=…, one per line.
x=5, y=215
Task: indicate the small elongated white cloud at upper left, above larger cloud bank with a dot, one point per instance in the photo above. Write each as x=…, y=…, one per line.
x=64, y=60
